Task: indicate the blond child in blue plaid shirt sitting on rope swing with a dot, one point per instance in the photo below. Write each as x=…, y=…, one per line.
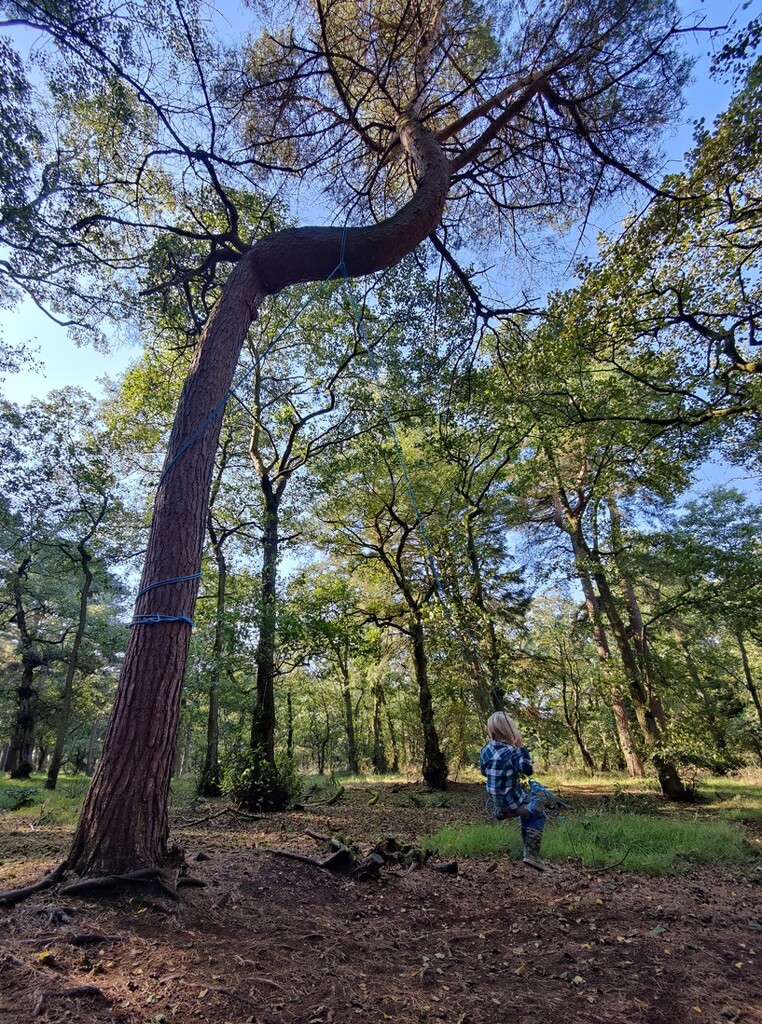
x=504, y=759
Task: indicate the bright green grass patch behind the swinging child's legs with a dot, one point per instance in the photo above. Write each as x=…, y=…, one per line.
x=630, y=842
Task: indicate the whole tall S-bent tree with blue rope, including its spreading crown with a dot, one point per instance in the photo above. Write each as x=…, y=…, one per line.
x=422, y=109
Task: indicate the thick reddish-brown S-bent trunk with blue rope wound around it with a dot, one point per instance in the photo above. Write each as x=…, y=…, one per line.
x=124, y=825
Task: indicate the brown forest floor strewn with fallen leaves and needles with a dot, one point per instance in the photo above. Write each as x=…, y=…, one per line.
x=272, y=941
